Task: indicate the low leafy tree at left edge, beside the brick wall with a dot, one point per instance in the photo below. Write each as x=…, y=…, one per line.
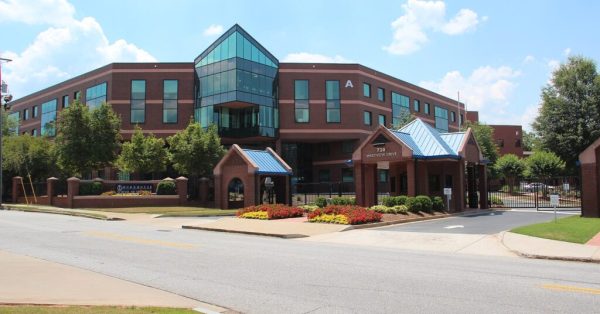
x=26, y=154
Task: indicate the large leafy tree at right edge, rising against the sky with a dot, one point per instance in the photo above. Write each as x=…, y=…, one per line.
x=569, y=118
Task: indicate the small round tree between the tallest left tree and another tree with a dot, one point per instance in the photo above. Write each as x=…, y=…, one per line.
x=143, y=154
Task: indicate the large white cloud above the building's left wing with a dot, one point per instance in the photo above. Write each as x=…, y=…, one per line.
x=62, y=51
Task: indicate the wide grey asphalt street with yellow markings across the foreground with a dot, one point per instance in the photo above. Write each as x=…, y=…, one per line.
x=267, y=275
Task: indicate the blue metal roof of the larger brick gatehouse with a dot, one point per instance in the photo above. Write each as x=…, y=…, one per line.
x=426, y=142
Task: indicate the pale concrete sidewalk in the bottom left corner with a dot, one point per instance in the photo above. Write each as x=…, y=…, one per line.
x=28, y=280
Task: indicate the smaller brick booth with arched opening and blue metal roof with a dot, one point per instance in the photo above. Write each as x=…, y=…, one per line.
x=246, y=177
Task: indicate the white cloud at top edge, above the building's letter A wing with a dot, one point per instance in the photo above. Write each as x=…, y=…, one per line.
x=410, y=29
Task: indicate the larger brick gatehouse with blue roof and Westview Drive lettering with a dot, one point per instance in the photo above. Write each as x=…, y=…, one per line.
x=419, y=160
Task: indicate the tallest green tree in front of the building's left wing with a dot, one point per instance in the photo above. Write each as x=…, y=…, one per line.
x=86, y=140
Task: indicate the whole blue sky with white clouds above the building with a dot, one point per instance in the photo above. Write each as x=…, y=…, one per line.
x=499, y=54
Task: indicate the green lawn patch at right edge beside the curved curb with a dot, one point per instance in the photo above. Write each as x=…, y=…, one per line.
x=571, y=229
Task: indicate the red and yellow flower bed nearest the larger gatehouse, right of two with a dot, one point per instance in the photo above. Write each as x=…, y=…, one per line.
x=346, y=215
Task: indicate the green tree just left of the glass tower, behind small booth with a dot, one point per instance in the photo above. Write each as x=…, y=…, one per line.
x=195, y=151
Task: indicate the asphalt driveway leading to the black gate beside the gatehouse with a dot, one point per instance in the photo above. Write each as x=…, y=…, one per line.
x=485, y=223
